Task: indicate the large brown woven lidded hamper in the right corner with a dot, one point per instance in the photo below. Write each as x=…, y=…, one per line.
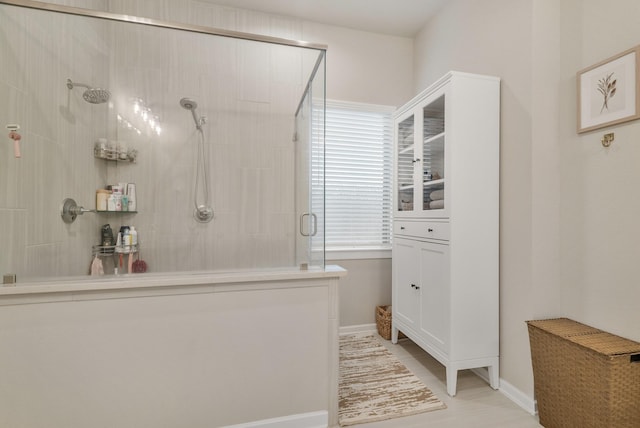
x=584, y=377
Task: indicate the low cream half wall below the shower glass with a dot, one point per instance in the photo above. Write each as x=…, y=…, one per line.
x=204, y=354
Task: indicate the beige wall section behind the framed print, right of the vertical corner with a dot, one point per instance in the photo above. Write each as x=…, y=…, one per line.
x=599, y=207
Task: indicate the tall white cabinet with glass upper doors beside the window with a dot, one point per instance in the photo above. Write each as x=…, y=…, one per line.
x=445, y=235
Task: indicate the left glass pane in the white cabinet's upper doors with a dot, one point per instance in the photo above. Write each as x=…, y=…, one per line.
x=405, y=164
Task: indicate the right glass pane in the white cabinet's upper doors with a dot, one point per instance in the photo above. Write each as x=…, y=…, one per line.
x=433, y=143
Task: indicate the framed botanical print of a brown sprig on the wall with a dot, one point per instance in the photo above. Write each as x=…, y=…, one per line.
x=608, y=91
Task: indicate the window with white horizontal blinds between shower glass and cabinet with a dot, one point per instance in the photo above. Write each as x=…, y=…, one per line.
x=358, y=170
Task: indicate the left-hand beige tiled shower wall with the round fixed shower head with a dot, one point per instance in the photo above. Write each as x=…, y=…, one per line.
x=39, y=52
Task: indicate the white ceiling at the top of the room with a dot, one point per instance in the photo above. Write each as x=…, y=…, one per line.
x=394, y=17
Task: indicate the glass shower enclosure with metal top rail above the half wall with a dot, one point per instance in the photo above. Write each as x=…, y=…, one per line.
x=259, y=135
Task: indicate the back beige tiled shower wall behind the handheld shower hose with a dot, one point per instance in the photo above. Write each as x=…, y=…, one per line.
x=248, y=92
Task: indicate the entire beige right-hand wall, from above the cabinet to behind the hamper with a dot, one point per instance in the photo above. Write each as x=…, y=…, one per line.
x=568, y=213
